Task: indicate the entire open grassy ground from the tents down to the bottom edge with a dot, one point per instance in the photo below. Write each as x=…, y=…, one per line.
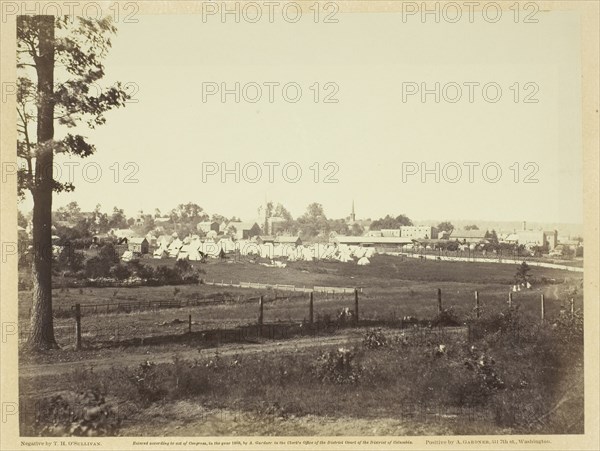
x=277, y=385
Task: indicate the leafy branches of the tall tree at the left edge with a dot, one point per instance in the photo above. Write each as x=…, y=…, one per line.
x=80, y=45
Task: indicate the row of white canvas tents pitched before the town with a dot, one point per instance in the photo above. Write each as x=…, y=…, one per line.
x=196, y=250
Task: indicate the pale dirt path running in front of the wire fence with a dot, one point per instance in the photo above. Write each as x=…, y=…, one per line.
x=134, y=358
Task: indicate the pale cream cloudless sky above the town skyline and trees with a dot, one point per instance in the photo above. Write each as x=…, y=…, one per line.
x=368, y=135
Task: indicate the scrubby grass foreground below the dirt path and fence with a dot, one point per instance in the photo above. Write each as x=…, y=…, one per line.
x=509, y=375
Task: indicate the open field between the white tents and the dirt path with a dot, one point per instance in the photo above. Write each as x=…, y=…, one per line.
x=391, y=288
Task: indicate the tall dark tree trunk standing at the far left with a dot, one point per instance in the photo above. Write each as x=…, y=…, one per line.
x=42, y=327
